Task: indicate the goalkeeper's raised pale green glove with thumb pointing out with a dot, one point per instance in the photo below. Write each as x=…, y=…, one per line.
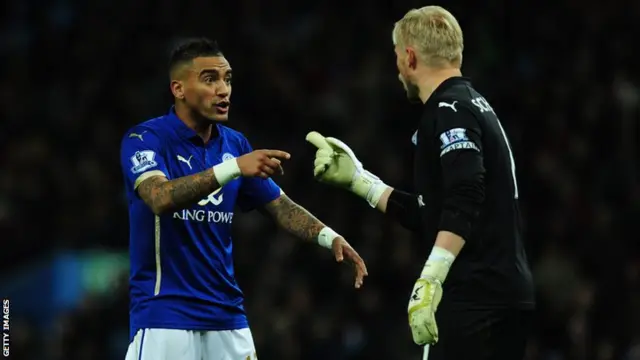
x=337, y=165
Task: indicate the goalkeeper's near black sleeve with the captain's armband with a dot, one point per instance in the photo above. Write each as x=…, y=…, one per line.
x=461, y=159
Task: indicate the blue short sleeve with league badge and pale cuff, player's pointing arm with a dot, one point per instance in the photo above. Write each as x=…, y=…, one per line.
x=141, y=157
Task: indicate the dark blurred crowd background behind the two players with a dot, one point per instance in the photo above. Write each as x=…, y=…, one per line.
x=76, y=75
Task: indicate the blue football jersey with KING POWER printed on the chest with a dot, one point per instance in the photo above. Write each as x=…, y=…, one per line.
x=182, y=274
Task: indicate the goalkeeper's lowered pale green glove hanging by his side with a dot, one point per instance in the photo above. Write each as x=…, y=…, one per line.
x=426, y=295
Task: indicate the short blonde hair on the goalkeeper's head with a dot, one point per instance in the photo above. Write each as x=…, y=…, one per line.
x=435, y=34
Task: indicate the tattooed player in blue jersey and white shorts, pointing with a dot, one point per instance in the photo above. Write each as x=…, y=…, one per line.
x=184, y=174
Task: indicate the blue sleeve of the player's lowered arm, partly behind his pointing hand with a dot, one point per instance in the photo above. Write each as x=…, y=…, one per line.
x=254, y=191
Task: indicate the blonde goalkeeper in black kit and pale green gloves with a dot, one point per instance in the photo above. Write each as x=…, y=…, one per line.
x=474, y=298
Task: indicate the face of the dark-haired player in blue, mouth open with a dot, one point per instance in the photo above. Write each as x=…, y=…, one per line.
x=207, y=90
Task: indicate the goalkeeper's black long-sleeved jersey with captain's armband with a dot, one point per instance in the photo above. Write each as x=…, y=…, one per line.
x=465, y=183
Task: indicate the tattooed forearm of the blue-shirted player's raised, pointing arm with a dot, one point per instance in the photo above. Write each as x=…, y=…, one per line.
x=164, y=195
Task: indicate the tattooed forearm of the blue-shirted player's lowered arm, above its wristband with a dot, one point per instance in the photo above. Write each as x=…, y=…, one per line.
x=294, y=218
